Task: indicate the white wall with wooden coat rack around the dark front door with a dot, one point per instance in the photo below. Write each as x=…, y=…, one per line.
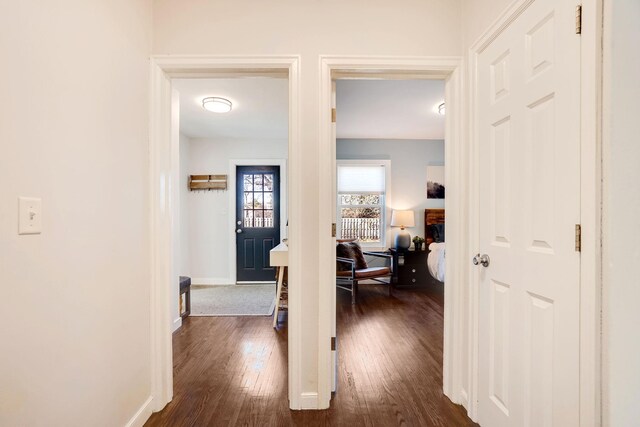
x=208, y=212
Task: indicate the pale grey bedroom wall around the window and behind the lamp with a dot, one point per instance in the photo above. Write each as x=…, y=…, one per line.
x=409, y=161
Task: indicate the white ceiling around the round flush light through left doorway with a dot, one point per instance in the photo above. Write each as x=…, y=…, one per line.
x=259, y=108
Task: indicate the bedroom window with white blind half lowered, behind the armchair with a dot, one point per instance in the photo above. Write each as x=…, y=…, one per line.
x=361, y=201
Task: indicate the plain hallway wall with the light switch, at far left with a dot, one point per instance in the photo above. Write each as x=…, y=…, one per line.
x=74, y=131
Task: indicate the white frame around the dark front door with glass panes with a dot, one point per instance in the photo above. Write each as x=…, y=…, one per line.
x=233, y=164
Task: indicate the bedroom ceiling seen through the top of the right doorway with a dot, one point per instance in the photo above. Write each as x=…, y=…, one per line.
x=389, y=109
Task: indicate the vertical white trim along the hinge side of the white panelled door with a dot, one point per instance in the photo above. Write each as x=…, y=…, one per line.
x=590, y=213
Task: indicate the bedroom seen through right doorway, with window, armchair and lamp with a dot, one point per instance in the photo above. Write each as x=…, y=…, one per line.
x=390, y=153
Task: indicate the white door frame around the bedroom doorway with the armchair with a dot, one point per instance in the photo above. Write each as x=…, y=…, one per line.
x=449, y=69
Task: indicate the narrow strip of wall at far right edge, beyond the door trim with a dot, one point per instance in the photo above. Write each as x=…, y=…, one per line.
x=621, y=198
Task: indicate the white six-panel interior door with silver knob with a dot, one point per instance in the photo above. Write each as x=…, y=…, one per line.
x=529, y=141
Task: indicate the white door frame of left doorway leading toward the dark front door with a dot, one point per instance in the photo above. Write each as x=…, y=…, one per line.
x=163, y=191
